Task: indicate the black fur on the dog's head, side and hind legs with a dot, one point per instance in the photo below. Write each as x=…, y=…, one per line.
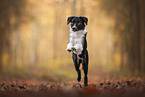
x=82, y=58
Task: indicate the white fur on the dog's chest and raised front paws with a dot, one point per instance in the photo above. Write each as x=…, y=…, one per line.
x=76, y=41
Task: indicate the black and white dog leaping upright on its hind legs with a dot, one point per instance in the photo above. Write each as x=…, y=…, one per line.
x=78, y=45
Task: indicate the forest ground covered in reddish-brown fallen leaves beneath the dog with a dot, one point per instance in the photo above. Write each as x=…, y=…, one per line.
x=105, y=87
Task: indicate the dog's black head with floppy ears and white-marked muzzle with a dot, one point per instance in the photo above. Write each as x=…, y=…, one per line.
x=77, y=23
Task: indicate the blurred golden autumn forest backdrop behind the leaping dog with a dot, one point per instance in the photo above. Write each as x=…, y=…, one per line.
x=34, y=36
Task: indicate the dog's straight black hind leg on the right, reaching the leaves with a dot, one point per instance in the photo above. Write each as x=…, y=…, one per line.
x=85, y=68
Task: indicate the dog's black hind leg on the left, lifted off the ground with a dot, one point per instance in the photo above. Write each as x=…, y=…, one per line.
x=77, y=65
